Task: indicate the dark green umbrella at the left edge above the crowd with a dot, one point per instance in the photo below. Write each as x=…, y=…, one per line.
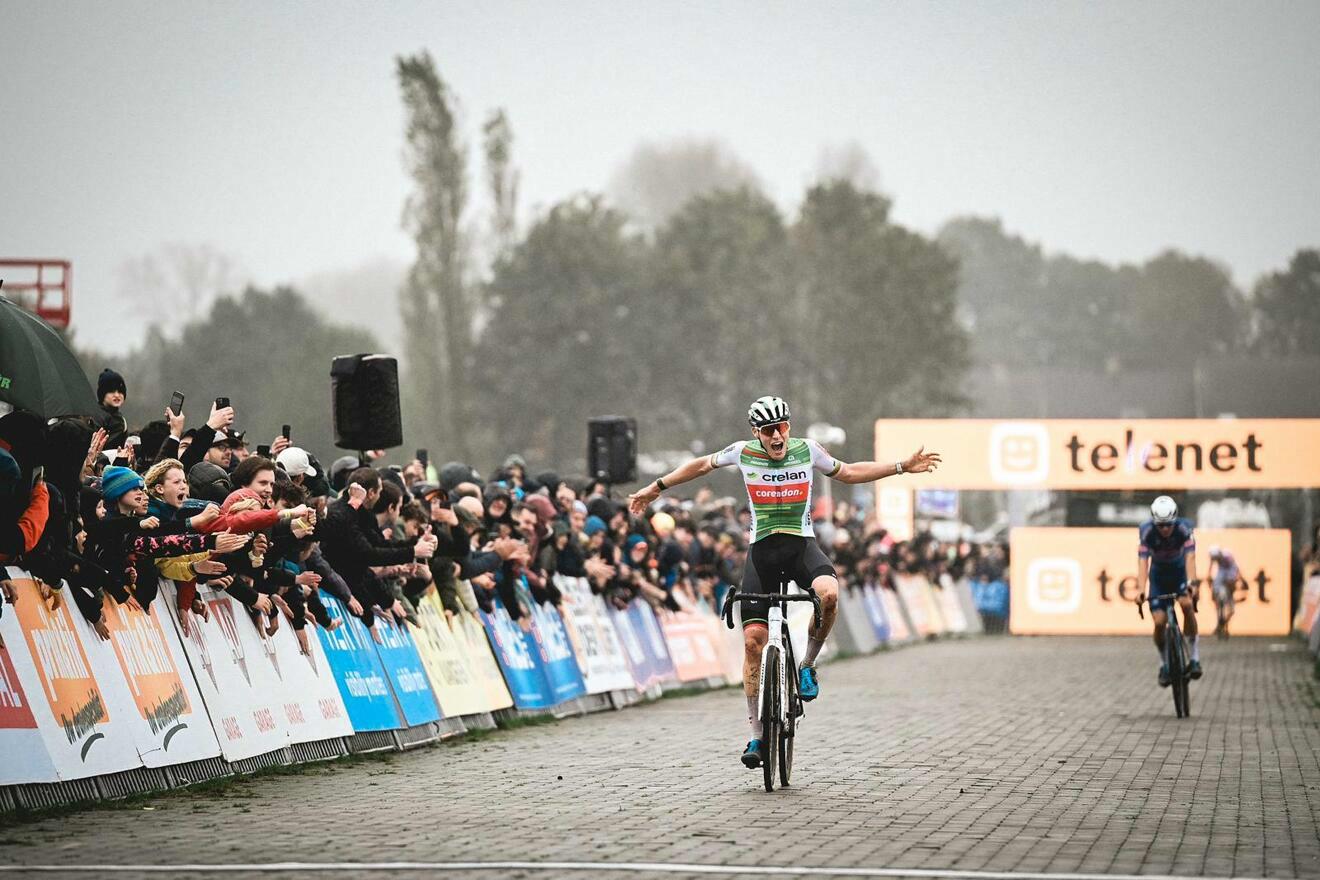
x=38, y=371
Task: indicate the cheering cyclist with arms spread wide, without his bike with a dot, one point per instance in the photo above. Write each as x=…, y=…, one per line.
x=778, y=472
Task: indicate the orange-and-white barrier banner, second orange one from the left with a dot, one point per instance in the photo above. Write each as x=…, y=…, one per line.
x=156, y=693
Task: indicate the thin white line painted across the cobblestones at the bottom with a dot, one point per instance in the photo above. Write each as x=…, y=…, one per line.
x=640, y=867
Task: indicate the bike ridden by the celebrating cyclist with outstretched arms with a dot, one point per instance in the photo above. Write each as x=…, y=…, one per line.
x=778, y=700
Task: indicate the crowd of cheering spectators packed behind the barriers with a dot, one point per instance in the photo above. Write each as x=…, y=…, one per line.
x=113, y=511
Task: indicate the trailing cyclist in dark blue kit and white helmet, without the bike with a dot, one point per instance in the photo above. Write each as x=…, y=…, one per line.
x=1168, y=564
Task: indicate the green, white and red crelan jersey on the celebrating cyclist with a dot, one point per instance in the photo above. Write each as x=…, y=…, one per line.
x=779, y=493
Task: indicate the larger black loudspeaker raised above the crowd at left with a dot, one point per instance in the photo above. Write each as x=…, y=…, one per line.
x=365, y=399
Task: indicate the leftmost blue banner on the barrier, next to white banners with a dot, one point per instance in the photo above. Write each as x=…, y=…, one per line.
x=358, y=672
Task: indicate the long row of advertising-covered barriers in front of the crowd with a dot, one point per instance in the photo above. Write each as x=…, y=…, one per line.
x=176, y=688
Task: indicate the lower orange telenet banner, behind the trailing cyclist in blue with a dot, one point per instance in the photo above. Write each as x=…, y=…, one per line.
x=1084, y=581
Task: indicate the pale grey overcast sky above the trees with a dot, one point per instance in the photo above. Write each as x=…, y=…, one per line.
x=273, y=131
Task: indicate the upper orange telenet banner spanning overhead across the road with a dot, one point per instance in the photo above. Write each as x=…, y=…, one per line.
x=1111, y=455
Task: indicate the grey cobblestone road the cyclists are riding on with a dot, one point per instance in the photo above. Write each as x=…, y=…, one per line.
x=1024, y=755
